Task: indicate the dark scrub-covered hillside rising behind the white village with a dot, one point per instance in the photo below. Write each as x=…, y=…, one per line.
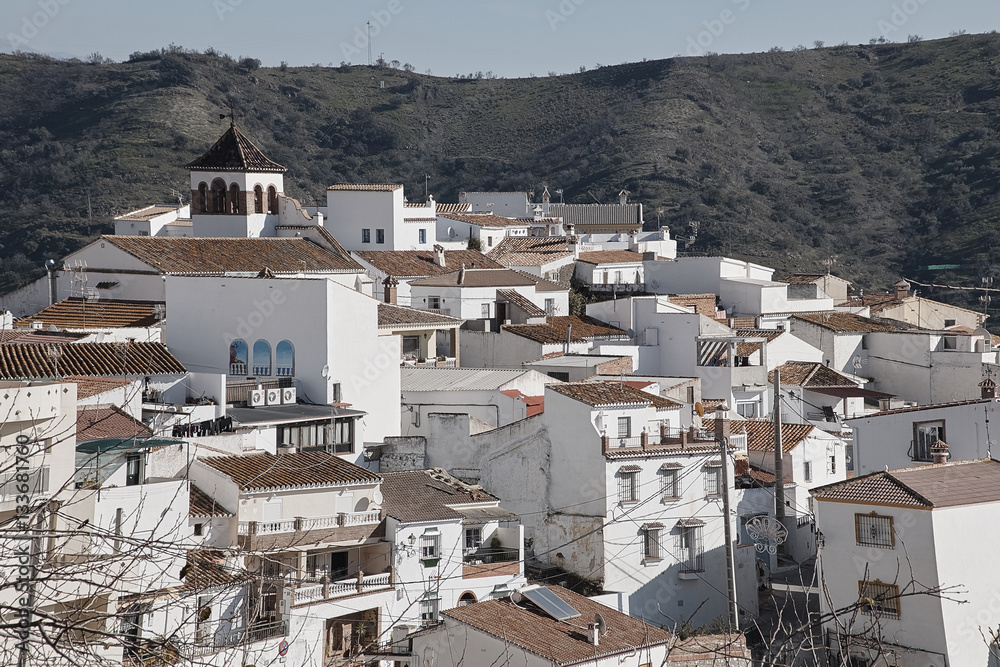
x=886, y=156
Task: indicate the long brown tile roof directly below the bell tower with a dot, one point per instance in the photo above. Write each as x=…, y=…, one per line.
x=216, y=256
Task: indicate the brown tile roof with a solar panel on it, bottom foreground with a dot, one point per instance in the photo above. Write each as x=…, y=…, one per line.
x=559, y=643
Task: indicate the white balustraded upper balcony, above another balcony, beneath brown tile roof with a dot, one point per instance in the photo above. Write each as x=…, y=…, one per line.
x=266, y=535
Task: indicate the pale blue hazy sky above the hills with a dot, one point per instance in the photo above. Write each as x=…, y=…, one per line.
x=509, y=38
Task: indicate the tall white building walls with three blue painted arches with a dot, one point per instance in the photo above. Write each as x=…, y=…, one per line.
x=323, y=323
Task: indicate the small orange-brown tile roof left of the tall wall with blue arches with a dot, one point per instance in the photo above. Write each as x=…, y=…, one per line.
x=77, y=313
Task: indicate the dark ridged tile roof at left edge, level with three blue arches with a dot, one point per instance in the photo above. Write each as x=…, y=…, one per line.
x=19, y=360
